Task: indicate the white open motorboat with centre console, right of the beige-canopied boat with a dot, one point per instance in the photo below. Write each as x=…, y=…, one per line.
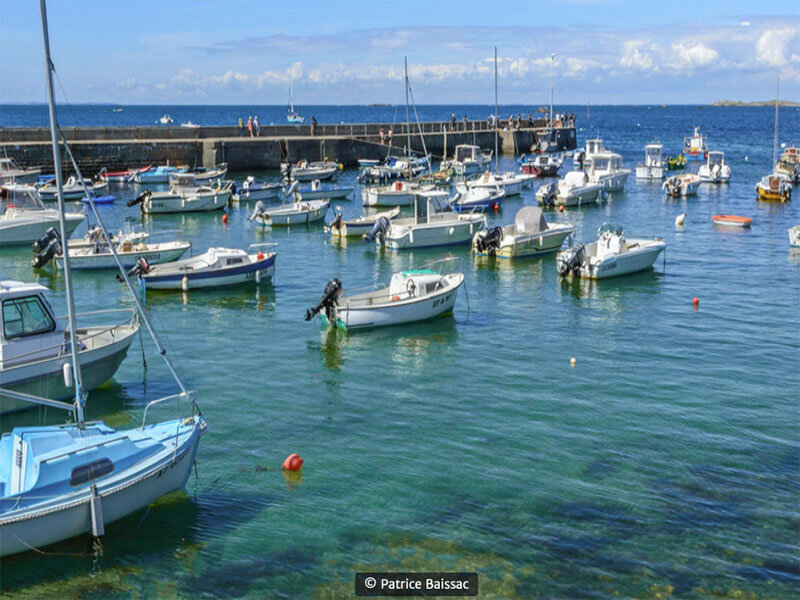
x=610, y=256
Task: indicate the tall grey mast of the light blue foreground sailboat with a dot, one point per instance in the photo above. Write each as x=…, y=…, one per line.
x=73, y=342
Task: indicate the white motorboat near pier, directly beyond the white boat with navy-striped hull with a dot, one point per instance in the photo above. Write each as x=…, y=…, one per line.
x=184, y=195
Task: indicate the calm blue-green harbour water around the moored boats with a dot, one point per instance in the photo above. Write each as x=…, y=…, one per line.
x=665, y=462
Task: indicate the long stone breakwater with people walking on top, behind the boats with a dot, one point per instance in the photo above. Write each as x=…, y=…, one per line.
x=129, y=147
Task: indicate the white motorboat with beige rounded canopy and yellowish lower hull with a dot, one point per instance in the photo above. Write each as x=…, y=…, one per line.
x=529, y=235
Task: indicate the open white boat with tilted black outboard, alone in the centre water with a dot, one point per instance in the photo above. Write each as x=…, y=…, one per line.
x=412, y=296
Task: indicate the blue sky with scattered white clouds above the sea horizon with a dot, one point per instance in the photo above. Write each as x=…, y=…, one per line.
x=207, y=52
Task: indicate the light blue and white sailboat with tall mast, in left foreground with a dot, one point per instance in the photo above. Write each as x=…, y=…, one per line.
x=57, y=482
